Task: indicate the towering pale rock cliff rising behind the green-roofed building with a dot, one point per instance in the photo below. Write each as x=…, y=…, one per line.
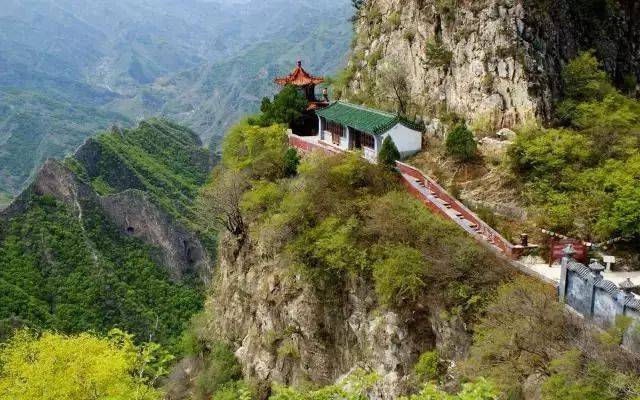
x=495, y=62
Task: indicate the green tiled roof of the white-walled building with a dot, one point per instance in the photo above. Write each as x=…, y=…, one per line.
x=361, y=118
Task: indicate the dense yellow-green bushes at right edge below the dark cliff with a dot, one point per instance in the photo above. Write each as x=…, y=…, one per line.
x=584, y=179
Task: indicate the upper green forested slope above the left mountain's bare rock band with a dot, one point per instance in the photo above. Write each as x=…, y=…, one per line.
x=159, y=157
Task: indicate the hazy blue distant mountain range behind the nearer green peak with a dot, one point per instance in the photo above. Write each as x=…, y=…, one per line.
x=71, y=67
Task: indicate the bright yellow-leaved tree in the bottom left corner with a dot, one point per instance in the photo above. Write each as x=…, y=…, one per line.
x=82, y=367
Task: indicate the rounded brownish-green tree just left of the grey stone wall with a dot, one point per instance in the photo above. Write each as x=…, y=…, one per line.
x=522, y=330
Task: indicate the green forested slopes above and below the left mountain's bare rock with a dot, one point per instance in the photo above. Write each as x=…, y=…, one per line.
x=76, y=272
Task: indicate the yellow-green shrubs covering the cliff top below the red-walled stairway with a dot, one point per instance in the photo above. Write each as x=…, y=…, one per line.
x=342, y=216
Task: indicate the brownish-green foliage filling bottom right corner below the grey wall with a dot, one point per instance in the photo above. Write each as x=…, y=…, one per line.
x=526, y=331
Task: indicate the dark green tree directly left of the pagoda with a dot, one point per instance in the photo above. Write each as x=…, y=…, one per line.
x=287, y=107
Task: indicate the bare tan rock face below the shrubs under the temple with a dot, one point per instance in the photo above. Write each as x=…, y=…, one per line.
x=290, y=332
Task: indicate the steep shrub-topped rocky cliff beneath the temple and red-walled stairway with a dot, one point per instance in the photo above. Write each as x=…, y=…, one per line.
x=337, y=270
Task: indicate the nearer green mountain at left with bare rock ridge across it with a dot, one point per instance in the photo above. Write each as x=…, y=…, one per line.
x=103, y=238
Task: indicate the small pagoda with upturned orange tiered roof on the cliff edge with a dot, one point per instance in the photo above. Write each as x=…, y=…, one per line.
x=306, y=83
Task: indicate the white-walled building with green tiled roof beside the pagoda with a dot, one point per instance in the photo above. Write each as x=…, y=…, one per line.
x=353, y=127
